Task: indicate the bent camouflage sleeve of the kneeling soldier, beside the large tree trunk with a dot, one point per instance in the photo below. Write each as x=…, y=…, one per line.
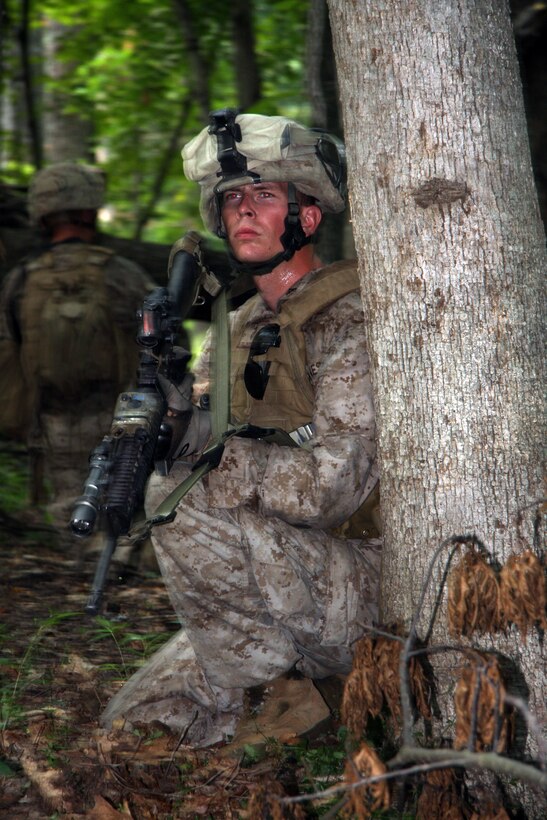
x=322, y=487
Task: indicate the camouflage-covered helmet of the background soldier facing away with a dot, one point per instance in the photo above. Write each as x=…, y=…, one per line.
x=66, y=186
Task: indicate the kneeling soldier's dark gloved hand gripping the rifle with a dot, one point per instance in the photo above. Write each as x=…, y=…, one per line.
x=185, y=428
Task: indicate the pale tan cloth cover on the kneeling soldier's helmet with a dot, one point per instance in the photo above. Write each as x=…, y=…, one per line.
x=277, y=150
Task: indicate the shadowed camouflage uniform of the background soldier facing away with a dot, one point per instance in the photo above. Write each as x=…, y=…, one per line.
x=62, y=426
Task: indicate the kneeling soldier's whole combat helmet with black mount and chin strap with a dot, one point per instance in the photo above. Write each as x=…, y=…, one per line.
x=241, y=149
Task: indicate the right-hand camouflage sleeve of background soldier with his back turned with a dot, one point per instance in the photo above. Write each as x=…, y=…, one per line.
x=128, y=284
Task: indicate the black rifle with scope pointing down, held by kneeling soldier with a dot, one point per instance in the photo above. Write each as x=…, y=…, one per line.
x=122, y=462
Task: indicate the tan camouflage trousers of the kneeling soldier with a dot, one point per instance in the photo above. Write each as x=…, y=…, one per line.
x=257, y=597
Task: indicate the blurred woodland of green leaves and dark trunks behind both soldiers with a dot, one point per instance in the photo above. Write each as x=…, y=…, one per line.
x=125, y=86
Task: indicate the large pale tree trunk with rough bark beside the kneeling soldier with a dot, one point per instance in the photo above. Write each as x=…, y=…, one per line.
x=452, y=255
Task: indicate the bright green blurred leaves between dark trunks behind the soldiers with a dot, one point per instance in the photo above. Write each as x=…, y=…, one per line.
x=130, y=72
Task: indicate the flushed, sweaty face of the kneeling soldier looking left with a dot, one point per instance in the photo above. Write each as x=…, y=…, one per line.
x=254, y=219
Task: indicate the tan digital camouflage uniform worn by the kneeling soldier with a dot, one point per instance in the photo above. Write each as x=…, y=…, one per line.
x=259, y=581
